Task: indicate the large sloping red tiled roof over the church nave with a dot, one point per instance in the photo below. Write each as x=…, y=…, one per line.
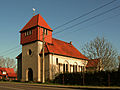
x=63, y=48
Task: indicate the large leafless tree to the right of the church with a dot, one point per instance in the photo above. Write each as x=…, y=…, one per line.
x=101, y=48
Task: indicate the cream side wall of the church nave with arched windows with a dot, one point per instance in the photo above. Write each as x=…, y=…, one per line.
x=56, y=68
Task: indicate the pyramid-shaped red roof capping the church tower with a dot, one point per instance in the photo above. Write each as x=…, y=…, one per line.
x=36, y=20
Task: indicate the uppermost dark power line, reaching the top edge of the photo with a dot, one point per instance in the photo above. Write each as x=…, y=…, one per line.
x=85, y=14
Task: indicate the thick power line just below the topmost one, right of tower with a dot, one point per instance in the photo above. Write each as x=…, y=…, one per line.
x=88, y=19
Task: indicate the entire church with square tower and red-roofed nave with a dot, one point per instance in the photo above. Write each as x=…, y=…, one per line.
x=59, y=56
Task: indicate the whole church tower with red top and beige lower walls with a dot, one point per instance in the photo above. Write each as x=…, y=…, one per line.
x=31, y=41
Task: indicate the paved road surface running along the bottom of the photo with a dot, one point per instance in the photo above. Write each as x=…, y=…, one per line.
x=33, y=86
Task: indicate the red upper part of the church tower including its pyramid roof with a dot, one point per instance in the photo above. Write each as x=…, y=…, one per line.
x=33, y=31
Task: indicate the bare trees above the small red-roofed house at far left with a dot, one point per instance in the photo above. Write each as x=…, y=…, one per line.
x=8, y=63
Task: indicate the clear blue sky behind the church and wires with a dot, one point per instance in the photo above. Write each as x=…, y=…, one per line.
x=14, y=14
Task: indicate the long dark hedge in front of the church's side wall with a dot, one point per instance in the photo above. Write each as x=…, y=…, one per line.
x=103, y=78
